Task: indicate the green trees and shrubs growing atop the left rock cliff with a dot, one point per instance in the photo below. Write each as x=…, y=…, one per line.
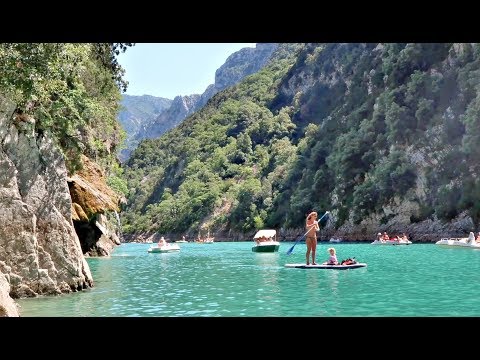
x=71, y=91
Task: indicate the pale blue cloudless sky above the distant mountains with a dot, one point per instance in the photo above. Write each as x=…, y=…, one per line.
x=168, y=70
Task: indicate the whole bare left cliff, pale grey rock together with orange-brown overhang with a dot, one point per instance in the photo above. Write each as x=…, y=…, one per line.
x=40, y=251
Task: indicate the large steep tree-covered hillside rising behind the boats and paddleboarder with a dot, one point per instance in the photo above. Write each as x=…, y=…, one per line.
x=358, y=129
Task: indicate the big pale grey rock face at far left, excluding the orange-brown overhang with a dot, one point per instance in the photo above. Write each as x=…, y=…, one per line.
x=40, y=252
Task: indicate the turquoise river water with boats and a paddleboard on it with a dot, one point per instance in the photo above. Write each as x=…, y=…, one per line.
x=228, y=279
